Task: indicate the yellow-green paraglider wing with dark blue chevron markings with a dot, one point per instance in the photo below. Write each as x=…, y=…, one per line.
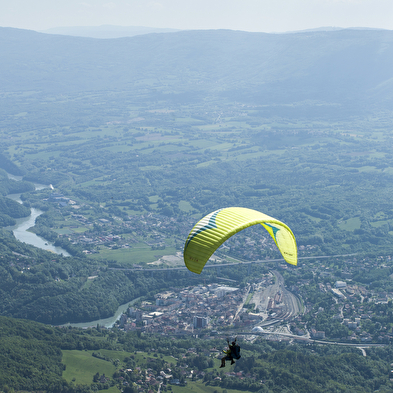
x=215, y=228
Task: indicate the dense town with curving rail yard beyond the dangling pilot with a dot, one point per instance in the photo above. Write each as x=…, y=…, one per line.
x=354, y=314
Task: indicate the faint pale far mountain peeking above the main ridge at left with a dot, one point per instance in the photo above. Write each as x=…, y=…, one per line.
x=106, y=31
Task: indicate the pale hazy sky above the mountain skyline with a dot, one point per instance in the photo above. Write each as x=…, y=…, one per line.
x=248, y=15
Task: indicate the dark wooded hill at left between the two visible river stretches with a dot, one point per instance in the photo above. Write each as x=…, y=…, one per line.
x=37, y=285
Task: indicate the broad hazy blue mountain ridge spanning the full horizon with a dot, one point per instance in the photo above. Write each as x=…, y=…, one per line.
x=343, y=68
